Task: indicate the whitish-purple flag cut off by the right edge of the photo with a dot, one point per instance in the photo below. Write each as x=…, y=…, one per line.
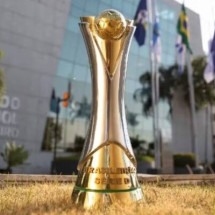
x=209, y=73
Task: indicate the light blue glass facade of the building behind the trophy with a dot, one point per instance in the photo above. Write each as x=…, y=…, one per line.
x=74, y=66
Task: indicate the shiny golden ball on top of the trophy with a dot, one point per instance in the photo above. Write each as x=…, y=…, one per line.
x=110, y=25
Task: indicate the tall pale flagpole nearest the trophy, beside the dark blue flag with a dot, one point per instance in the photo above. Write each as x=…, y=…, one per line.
x=153, y=84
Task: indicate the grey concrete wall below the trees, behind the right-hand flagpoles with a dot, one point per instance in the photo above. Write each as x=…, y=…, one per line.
x=182, y=130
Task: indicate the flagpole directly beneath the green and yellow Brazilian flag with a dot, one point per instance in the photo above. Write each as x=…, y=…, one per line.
x=194, y=146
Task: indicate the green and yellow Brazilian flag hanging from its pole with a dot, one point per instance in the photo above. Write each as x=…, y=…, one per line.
x=182, y=28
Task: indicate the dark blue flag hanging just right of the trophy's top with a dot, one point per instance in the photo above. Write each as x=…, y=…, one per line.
x=140, y=21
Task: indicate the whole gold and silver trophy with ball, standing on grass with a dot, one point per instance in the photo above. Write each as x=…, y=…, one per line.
x=107, y=166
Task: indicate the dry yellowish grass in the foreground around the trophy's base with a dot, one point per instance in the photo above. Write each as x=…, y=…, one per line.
x=54, y=199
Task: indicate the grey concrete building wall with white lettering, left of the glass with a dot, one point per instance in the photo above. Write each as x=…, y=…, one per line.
x=31, y=35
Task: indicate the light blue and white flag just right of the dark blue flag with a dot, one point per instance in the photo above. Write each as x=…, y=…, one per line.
x=156, y=42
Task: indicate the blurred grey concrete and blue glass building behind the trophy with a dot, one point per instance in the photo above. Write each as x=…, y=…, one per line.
x=44, y=49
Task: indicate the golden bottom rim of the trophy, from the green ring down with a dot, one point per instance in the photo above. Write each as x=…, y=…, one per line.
x=101, y=199
